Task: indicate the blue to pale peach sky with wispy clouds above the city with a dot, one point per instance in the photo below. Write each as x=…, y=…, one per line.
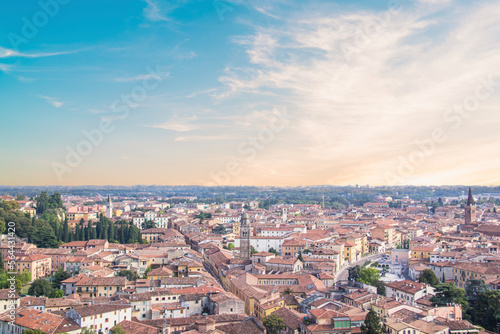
x=264, y=92
